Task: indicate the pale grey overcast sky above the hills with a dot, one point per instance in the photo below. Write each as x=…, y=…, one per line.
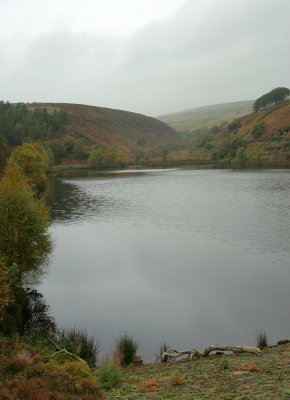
x=147, y=56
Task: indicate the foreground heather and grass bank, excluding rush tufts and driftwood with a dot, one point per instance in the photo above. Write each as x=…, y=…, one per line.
x=29, y=370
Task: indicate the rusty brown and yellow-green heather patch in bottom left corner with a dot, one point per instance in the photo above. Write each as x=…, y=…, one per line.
x=28, y=372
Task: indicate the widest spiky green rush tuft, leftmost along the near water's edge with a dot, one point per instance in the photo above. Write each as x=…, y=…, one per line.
x=81, y=344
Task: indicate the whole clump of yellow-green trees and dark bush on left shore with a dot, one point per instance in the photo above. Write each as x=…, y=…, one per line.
x=25, y=242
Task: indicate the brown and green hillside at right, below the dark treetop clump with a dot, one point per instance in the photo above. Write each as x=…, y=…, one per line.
x=264, y=135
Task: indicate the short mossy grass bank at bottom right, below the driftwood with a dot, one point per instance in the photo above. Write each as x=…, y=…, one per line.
x=244, y=377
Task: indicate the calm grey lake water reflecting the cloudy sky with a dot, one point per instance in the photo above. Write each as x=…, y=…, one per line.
x=190, y=257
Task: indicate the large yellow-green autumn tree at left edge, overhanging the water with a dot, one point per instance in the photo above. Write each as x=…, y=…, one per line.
x=24, y=238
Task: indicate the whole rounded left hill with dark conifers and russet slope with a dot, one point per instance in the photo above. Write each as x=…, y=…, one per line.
x=72, y=131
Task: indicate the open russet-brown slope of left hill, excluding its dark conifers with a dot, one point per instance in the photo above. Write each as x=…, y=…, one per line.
x=130, y=132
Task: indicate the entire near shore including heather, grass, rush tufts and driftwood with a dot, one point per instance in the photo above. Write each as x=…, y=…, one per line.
x=65, y=366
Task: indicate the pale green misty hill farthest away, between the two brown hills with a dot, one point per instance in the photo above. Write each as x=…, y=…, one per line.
x=208, y=116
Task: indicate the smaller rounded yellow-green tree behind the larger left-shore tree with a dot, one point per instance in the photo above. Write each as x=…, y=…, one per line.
x=34, y=162
